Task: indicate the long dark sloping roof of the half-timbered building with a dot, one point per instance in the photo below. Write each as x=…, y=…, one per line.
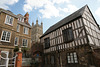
x=66, y=20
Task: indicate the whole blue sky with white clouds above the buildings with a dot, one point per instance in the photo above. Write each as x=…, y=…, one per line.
x=49, y=11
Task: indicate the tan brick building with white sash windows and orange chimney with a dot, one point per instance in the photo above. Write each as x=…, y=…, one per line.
x=14, y=31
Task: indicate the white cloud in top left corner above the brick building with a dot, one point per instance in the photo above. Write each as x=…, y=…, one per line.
x=4, y=3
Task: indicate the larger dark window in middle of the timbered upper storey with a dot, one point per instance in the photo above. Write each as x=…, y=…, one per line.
x=68, y=35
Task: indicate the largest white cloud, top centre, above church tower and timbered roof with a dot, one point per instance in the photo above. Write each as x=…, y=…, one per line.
x=49, y=8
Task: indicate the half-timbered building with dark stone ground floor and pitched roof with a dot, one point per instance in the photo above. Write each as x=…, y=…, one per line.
x=69, y=42
